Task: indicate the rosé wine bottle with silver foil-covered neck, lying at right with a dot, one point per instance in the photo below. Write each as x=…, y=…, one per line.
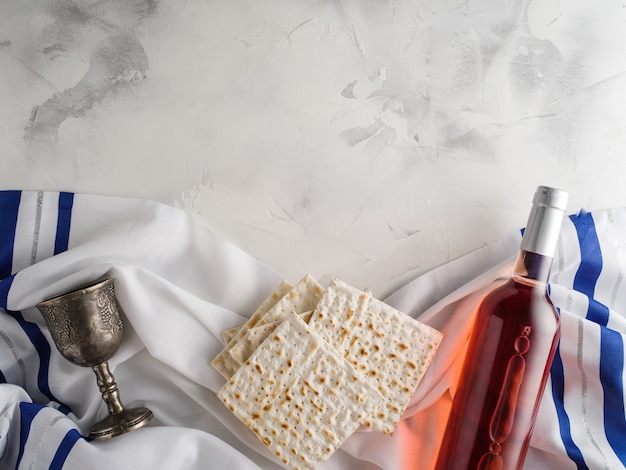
x=509, y=354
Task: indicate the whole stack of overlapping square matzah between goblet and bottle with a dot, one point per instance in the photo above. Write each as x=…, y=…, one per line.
x=311, y=365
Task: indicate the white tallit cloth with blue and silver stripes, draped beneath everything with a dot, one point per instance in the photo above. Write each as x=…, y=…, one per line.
x=180, y=285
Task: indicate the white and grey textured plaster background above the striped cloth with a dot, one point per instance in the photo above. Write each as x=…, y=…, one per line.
x=369, y=140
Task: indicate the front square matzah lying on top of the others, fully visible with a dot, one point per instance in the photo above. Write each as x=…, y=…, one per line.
x=299, y=395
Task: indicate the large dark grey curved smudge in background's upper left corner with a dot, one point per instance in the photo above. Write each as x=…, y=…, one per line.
x=117, y=58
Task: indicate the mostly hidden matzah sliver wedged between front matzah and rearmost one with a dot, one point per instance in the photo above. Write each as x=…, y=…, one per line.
x=300, y=298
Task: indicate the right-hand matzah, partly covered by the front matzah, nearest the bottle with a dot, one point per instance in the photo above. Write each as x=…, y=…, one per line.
x=390, y=349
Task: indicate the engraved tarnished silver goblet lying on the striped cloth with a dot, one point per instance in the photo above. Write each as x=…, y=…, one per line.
x=87, y=329
